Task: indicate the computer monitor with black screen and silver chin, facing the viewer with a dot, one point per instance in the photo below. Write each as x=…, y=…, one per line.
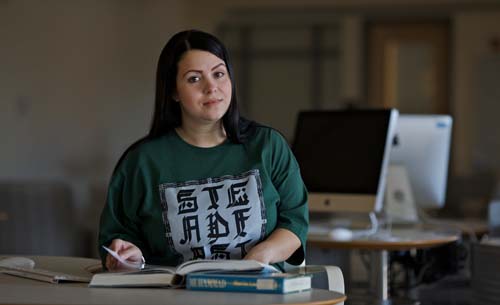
x=343, y=157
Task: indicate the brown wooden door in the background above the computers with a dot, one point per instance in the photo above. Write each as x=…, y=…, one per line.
x=408, y=65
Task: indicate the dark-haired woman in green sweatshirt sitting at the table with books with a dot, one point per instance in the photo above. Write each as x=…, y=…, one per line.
x=204, y=183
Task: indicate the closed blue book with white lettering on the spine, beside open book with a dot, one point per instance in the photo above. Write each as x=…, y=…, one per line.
x=278, y=283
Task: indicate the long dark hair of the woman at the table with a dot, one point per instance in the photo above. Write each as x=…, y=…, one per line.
x=167, y=112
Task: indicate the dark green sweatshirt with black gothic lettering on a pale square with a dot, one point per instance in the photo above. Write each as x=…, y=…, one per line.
x=179, y=202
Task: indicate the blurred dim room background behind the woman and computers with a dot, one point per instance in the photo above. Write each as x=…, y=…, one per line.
x=77, y=87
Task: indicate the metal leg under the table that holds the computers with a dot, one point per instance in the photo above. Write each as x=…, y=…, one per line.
x=379, y=276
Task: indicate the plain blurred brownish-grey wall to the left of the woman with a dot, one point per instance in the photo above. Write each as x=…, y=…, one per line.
x=77, y=82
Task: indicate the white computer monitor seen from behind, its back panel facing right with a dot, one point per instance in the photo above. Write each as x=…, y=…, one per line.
x=422, y=146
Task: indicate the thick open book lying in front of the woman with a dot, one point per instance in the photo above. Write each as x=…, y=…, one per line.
x=164, y=276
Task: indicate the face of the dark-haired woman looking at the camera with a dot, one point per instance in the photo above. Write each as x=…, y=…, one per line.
x=204, y=88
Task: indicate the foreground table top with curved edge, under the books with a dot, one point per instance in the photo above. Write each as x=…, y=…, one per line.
x=15, y=290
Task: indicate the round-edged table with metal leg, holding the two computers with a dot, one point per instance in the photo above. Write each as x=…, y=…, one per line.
x=380, y=244
